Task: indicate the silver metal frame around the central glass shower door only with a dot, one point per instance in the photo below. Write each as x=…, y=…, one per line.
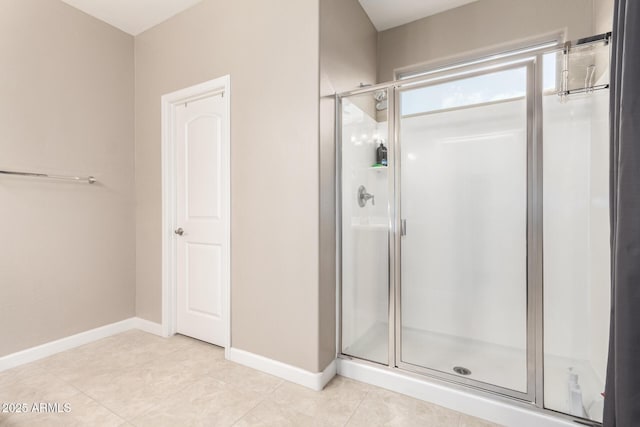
x=534, y=232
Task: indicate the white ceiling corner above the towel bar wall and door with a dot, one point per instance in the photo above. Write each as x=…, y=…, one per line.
x=132, y=16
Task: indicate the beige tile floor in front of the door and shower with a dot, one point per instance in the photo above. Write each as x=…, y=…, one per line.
x=138, y=379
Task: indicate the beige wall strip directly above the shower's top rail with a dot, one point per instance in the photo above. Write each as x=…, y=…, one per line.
x=478, y=26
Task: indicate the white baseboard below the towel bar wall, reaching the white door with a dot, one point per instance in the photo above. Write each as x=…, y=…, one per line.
x=45, y=350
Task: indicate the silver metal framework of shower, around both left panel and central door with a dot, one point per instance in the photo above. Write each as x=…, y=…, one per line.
x=532, y=60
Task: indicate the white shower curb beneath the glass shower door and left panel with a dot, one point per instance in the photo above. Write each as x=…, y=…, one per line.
x=457, y=400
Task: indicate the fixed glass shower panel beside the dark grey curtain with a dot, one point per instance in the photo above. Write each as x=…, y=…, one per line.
x=576, y=252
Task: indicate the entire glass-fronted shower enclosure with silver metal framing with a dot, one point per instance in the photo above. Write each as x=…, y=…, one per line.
x=479, y=253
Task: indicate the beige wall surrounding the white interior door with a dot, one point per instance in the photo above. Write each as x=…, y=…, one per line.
x=270, y=49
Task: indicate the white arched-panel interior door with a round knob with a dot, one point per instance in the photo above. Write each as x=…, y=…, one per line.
x=201, y=228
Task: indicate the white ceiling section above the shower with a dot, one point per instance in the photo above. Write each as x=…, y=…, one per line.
x=387, y=14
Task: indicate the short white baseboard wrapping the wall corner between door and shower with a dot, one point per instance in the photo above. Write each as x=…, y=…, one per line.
x=314, y=381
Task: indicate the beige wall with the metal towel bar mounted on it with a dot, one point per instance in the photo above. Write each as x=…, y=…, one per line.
x=67, y=252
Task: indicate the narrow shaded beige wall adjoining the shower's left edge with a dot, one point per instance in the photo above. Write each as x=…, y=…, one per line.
x=347, y=58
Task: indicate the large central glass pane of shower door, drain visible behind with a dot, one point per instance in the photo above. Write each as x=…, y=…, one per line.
x=465, y=188
